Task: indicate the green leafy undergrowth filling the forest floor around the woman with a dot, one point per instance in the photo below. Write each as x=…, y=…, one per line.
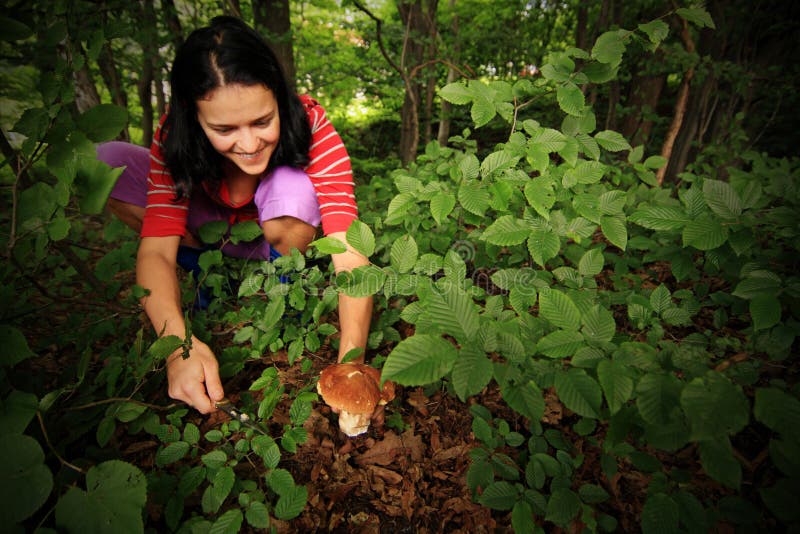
x=549, y=264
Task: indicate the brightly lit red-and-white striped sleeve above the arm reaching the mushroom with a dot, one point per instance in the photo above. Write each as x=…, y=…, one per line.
x=330, y=172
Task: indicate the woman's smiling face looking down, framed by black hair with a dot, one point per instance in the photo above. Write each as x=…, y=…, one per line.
x=242, y=123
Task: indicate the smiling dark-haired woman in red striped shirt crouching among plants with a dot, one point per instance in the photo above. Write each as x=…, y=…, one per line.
x=236, y=144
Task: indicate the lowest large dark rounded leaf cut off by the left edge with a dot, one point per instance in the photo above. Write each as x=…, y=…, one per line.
x=27, y=481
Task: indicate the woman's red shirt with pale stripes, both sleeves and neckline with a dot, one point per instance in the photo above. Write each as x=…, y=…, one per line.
x=328, y=168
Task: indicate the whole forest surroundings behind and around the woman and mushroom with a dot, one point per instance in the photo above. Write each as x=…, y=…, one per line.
x=582, y=218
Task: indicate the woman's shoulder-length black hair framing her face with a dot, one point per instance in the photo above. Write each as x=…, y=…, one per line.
x=227, y=51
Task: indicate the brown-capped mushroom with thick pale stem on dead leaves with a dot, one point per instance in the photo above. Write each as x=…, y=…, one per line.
x=354, y=390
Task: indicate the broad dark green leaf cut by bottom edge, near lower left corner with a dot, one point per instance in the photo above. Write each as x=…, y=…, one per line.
x=113, y=502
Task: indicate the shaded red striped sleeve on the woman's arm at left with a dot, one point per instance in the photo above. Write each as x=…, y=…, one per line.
x=164, y=216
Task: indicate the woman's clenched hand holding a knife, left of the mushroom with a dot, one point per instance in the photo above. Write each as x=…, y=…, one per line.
x=195, y=380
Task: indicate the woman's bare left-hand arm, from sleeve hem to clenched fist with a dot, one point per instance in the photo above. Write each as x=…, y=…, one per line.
x=194, y=380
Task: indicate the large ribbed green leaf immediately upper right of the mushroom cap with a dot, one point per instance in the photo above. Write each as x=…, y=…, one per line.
x=419, y=360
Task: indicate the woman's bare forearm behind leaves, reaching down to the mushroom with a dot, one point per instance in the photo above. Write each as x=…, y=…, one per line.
x=355, y=313
